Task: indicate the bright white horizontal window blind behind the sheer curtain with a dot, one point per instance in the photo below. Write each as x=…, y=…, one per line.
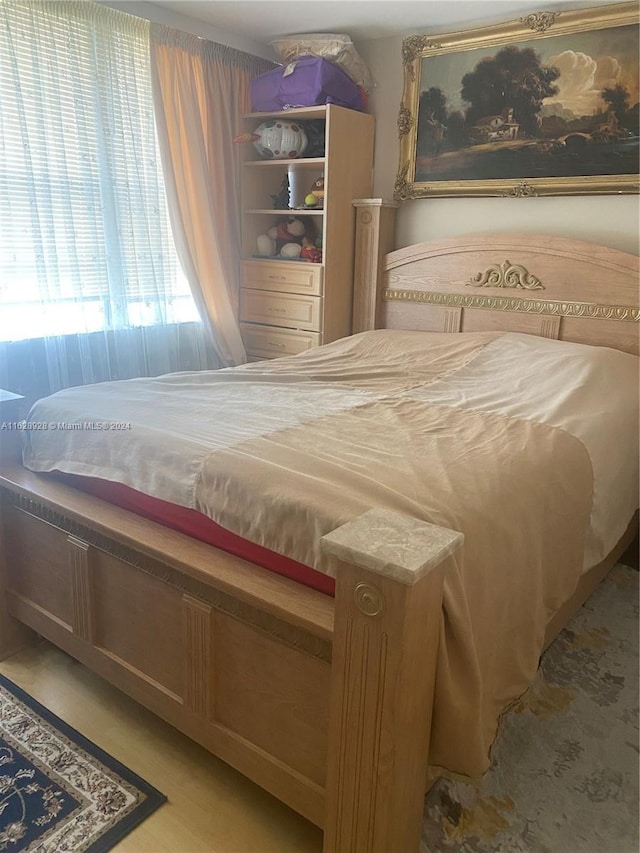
x=85, y=241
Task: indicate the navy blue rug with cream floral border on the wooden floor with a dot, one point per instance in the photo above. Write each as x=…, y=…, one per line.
x=58, y=791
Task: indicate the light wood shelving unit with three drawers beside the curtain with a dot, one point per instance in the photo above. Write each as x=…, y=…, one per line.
x=288, y=306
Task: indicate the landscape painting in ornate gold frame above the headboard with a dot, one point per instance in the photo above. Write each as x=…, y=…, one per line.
x=546, y=105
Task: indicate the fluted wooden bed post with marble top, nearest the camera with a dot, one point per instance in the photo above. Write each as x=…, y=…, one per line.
x=389, y=576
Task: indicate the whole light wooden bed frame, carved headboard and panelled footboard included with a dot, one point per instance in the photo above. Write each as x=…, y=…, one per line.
x=313, y=698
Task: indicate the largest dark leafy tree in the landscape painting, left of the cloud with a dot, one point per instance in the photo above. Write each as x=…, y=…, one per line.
x=512, y=80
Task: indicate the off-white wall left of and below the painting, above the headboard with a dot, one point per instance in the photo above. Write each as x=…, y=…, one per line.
x=610, y=220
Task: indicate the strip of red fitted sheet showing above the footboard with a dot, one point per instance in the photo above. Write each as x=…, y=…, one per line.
x=199, y=526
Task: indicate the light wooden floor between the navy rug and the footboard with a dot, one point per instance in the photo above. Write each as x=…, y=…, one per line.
x=210, y=807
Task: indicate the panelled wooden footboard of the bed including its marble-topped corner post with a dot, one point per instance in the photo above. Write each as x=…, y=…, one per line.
x=324, y=703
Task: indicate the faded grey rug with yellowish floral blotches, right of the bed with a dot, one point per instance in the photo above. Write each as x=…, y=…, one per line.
x=564, y=774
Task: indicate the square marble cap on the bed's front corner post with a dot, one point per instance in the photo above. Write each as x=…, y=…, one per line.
x=391, y=544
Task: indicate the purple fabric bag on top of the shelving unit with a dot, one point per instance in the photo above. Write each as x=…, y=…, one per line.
x=306, y=82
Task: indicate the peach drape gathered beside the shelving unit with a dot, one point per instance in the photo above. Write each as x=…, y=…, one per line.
x=200, y=91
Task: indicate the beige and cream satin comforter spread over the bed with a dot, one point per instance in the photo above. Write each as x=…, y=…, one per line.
x=435, y=426
